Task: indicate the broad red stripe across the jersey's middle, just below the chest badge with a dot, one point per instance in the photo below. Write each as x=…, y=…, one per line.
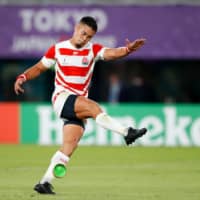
x=74, y=71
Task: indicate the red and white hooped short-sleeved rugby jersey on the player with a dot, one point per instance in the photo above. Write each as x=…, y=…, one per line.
x=73, y=67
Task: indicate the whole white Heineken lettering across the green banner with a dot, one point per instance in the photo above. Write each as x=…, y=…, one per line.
x=172, y=130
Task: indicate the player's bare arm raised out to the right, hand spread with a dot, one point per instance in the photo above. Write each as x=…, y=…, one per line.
x=130, y=47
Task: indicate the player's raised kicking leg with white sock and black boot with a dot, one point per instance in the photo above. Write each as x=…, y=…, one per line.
x=85, y=108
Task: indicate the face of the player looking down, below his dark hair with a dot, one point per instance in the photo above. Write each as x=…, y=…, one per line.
x=82, y=35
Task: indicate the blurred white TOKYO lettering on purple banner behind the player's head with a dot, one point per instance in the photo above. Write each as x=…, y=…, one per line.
x=45, y=20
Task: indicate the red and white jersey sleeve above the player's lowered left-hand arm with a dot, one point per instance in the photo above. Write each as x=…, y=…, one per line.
x=48, y=59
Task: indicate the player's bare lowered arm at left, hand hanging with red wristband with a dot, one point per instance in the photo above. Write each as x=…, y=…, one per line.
x=29, y=74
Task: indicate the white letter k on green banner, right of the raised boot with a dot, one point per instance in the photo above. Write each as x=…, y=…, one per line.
x=176, y=128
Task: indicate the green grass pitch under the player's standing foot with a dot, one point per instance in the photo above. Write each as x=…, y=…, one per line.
x=103, y=173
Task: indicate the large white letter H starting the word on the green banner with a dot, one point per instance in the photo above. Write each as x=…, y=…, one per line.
x=47, y=126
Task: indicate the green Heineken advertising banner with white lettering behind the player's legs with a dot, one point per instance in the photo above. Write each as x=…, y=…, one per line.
x=168, y=125
